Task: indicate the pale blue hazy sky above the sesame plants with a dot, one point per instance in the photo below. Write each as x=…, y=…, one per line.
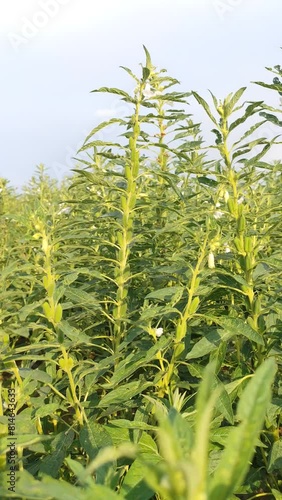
x=54, y=52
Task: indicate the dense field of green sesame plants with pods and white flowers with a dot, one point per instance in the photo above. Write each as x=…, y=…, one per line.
x=141, y=310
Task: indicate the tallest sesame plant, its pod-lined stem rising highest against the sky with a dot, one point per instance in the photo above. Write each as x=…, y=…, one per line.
x=150, y=92
